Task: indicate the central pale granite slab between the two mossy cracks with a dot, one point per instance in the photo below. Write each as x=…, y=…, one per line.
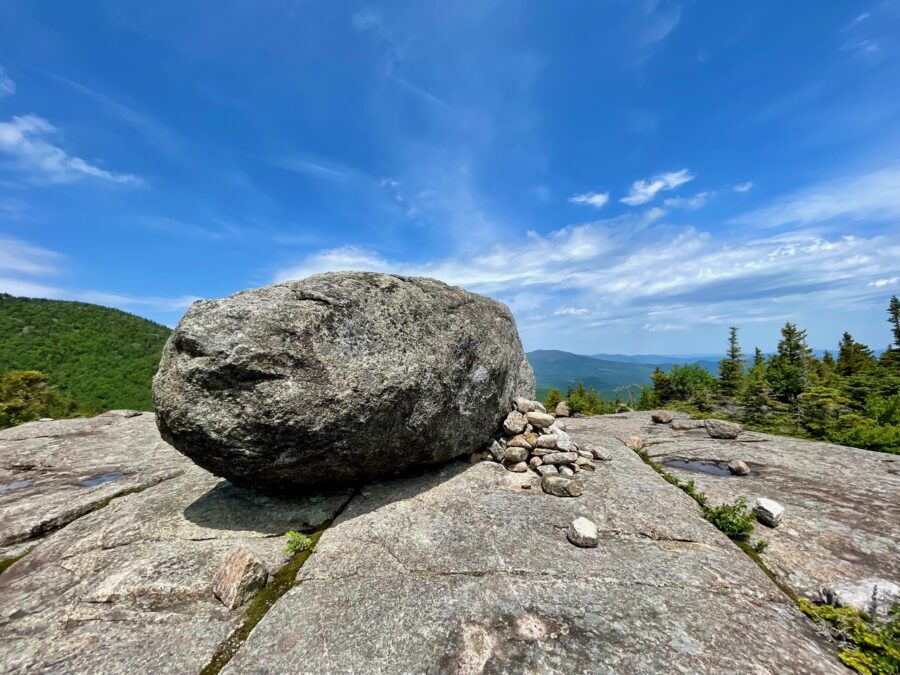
x=467, y=569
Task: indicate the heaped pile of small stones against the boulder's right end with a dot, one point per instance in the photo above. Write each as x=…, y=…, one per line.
x=531, y=440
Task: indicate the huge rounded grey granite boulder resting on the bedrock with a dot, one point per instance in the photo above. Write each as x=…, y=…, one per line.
x=338, y=379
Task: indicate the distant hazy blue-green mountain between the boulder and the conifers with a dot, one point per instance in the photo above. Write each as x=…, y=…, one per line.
x=553, y=368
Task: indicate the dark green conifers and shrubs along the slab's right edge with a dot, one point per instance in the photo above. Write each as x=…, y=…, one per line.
x=851, y=399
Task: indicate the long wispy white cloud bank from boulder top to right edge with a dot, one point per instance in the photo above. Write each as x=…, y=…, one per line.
x=622, y=269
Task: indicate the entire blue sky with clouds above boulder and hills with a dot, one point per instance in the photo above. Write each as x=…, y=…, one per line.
x=628, y=176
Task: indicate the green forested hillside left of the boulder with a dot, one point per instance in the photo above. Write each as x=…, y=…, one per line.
x=102, y=358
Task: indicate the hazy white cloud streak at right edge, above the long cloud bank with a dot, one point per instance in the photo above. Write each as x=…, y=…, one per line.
x=871, y=196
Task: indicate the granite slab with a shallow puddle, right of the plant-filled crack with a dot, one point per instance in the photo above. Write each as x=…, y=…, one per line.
x=842, y=505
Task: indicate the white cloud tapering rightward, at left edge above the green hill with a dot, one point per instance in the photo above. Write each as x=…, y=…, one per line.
x=24, y=138
